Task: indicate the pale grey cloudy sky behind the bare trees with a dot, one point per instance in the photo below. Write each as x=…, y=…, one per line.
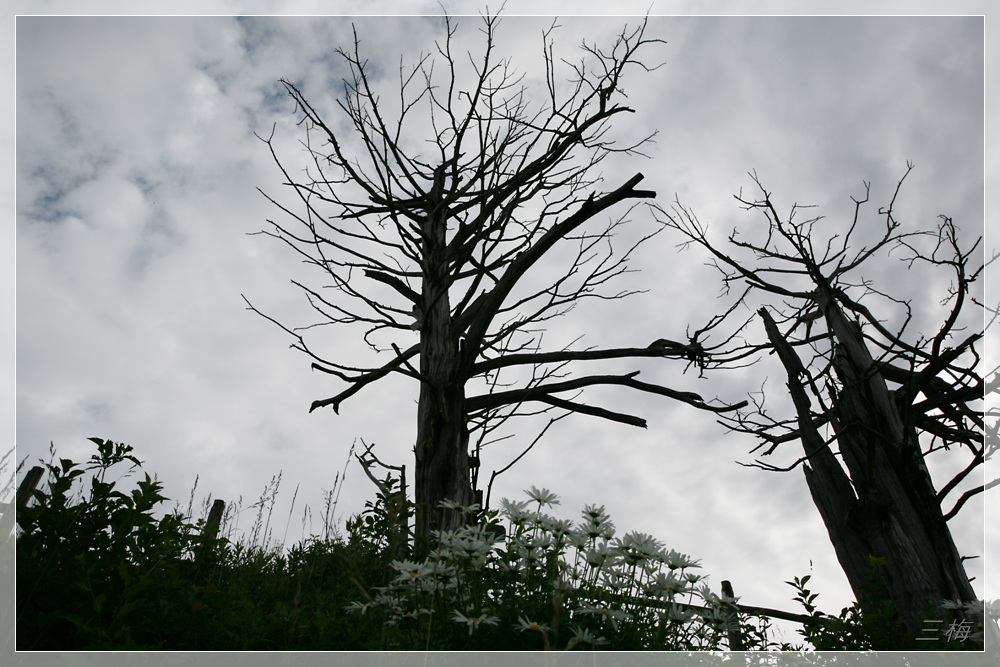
x=136, y=176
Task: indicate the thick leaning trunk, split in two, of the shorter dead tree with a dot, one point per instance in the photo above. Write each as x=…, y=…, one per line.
x=885, y=506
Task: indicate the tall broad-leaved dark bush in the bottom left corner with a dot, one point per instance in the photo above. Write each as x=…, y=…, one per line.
x=101, y=572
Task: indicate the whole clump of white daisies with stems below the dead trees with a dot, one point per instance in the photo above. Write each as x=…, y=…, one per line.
x=556, y=584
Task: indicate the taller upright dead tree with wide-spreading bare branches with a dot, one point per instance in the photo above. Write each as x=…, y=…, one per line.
x=428, y=223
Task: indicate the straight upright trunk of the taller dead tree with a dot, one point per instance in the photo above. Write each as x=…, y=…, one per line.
x=442, y=448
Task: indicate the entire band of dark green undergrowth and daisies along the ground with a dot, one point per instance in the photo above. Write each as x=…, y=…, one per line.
x=96, y=570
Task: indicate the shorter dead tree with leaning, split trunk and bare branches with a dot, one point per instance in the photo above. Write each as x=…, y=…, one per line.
x=871, y=401
